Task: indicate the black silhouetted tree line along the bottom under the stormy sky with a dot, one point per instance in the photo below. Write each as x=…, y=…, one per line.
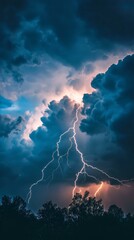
x=84, y=218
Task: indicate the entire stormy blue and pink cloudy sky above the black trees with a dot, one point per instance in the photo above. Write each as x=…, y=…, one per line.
x=57, y=57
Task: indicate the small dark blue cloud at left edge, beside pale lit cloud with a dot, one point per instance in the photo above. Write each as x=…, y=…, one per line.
x=8, y=124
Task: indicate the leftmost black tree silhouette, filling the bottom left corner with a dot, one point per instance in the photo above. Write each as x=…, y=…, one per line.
x=14, y=218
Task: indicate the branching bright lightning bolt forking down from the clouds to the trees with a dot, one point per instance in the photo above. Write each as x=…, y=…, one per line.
x=85, y=165
